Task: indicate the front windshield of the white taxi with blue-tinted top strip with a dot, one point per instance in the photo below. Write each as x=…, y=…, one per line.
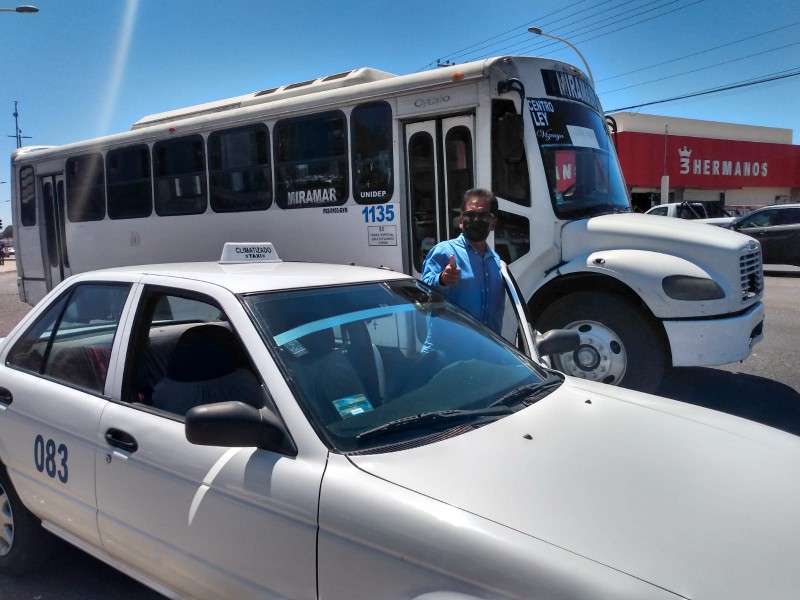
x=381, y=364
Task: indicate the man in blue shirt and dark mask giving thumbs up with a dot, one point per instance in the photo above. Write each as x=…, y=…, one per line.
x=465, y=269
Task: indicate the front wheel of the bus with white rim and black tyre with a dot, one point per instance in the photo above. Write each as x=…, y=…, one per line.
x=619, y=345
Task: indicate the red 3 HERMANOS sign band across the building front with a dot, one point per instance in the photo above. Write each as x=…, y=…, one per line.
x=706, y=163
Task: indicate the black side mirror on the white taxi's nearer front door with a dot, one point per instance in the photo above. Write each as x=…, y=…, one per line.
x=236, y=424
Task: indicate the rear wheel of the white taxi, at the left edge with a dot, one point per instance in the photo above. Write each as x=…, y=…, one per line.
x=24, y=545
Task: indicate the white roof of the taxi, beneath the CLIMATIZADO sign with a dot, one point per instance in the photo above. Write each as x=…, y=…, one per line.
x=253, y=277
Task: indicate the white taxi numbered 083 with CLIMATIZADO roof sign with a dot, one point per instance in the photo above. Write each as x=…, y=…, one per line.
x=278, y=430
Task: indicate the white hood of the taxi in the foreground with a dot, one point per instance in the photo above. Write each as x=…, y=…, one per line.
x=697, y=502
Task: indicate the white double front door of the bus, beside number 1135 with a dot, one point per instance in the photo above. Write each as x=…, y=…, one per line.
x=440, y=164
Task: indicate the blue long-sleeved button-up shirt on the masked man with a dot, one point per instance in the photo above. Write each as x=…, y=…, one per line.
x=481, y=291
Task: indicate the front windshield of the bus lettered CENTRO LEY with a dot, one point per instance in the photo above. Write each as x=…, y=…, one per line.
x=582, y=172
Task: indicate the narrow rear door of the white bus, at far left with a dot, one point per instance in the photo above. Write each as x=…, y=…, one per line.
x=54, y=244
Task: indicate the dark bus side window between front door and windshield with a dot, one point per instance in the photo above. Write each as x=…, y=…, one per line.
x=510, y=178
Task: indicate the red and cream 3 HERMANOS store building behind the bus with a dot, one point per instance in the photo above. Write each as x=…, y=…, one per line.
x=738, y=166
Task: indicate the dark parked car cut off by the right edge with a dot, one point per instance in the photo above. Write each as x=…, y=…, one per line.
x=777, y=228
